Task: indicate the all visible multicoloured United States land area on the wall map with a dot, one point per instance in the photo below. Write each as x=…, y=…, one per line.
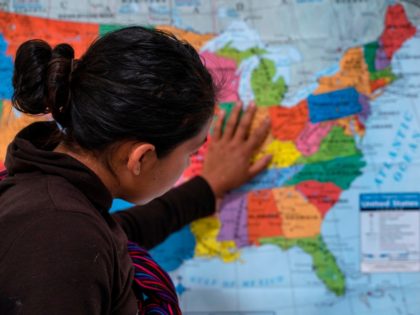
x=313, y=142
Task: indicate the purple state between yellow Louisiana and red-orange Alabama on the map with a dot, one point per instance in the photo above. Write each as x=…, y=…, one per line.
x=234, y=219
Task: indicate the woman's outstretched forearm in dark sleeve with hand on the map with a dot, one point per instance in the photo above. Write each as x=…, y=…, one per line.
x=226, y=166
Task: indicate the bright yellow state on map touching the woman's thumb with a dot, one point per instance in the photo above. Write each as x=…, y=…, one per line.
x=284, y=153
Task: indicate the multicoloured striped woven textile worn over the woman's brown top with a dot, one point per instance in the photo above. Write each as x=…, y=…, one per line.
x=152, y=286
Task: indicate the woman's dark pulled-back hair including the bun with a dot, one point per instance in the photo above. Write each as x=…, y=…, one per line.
x=133, y=83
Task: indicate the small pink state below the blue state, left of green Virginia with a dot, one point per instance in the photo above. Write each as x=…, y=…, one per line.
x=309, y=140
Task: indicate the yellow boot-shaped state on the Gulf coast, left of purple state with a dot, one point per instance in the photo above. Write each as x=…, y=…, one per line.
x=206, y=231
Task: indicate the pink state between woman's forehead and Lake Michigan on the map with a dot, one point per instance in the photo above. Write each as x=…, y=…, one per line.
x=224, y=72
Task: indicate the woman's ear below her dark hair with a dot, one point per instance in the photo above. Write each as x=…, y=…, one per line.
x=141, y=155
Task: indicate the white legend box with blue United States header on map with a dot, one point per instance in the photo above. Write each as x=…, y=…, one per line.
x=389, y=232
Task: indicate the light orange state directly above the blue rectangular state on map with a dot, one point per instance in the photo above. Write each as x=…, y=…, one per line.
x=353, y=73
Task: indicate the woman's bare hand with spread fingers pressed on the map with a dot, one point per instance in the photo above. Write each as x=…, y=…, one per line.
x=227, y=164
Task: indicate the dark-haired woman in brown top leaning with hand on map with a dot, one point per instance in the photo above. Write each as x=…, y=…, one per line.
x=127, y=117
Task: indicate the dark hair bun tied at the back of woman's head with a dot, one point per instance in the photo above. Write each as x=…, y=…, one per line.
x=41, y=78
